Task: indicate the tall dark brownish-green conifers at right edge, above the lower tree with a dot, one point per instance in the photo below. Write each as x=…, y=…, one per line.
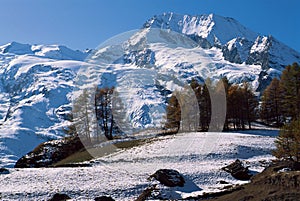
x=281, y=99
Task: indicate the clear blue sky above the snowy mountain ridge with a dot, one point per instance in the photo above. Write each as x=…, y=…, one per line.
x=87, y=23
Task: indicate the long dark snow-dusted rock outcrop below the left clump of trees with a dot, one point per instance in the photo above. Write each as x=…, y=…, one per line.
x=48, y=153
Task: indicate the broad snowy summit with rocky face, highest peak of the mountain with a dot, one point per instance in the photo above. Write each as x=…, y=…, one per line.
x=210, y=27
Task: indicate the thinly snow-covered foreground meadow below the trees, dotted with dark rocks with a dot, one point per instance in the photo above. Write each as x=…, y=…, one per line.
x=123, y=175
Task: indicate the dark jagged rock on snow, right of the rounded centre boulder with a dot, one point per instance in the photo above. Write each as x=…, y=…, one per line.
x=238, y=171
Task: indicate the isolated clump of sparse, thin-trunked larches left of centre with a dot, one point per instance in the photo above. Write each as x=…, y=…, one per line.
x=93, y=115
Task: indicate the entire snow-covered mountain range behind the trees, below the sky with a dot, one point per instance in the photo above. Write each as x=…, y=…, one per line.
x=36, y=81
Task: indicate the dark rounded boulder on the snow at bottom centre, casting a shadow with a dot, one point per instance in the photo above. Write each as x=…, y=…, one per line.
x=169, y=177
